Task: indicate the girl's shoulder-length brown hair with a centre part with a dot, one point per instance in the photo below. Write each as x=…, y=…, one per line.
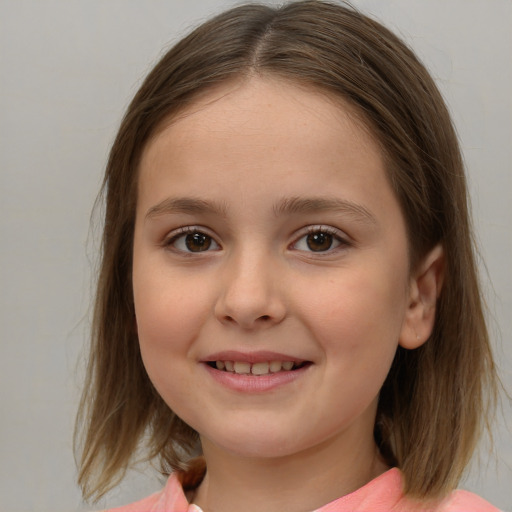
x=436, y=398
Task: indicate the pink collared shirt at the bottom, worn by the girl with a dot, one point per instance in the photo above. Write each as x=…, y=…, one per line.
x=383, y=494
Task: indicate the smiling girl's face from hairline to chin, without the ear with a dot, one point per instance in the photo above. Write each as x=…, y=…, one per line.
x=267, y=232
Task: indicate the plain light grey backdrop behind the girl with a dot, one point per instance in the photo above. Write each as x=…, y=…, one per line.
x=67, y=71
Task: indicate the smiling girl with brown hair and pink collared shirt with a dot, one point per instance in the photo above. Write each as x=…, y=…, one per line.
x=288, y=314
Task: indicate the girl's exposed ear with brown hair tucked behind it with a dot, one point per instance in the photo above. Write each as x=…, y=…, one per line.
x=424, y=289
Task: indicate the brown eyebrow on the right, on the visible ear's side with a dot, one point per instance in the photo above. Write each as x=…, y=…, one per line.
x=322, y=204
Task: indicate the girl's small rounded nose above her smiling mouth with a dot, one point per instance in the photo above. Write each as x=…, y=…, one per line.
x=251, y=296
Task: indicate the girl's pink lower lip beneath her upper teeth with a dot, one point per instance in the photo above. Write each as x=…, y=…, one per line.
x=255, y=383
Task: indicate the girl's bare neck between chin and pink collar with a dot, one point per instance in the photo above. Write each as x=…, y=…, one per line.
x=301, y=482
